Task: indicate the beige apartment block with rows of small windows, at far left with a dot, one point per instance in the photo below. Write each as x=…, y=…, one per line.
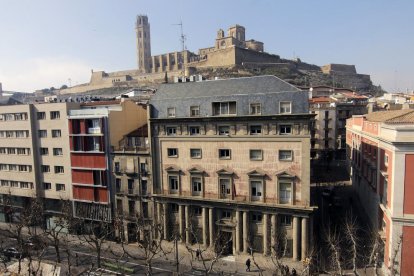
x=34, y=156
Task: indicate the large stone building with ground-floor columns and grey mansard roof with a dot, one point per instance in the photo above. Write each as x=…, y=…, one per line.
x=231, y=162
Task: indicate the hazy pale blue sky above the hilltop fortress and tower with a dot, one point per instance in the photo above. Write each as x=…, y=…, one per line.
x=45, y=43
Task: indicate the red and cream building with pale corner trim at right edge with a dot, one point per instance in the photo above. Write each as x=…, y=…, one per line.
x=380, y=148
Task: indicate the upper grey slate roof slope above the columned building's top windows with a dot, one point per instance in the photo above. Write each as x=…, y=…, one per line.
x=224, y=87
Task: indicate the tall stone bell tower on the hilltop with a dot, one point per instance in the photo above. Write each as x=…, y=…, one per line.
x=143, y=43
